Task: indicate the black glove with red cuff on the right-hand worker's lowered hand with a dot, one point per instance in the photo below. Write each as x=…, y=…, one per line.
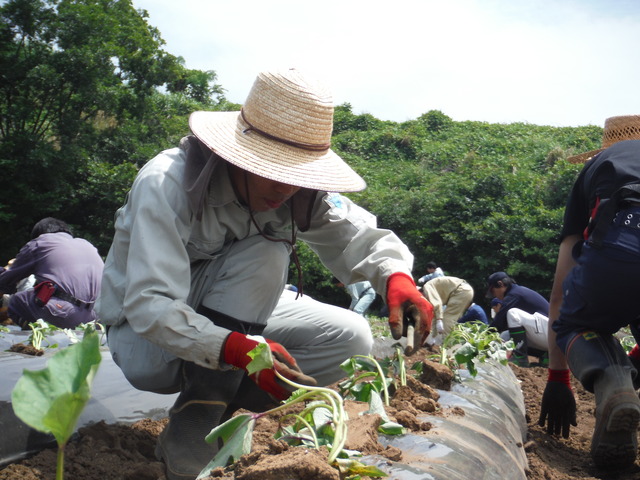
x=558, y=404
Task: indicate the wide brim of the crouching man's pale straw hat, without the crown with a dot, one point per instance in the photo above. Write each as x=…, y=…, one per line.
x=224, y=133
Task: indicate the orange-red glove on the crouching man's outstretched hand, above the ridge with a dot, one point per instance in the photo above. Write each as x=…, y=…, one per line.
x=402, y=294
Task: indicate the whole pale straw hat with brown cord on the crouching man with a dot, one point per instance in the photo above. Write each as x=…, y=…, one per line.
x=282, y=133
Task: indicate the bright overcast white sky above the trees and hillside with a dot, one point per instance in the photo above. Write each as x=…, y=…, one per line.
x=545, y=62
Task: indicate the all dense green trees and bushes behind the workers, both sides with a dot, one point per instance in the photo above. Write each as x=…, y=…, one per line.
x=88, y=94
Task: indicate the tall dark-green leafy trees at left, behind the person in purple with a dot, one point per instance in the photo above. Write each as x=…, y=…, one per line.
x=80, y=83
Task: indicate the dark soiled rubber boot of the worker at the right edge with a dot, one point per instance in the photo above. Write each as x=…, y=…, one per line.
x=601, y=365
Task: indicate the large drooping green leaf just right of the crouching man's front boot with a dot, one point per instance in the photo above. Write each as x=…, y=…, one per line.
x=236, y=434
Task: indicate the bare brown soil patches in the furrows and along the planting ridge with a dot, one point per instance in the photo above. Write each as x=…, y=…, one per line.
x=125, y=452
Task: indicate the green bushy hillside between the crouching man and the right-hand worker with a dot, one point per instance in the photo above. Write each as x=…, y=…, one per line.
x=474, y=197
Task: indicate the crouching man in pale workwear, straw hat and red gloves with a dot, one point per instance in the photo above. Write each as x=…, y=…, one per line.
x=195, y=277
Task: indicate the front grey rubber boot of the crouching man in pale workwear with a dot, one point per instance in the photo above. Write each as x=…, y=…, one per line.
x=201, y=406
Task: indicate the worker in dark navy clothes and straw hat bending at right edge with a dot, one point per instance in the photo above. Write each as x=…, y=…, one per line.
x=595, y=293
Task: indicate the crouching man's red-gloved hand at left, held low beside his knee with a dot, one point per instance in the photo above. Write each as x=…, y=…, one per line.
x=235, y=352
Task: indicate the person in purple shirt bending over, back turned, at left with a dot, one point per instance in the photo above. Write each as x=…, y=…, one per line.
x=68, y=275
